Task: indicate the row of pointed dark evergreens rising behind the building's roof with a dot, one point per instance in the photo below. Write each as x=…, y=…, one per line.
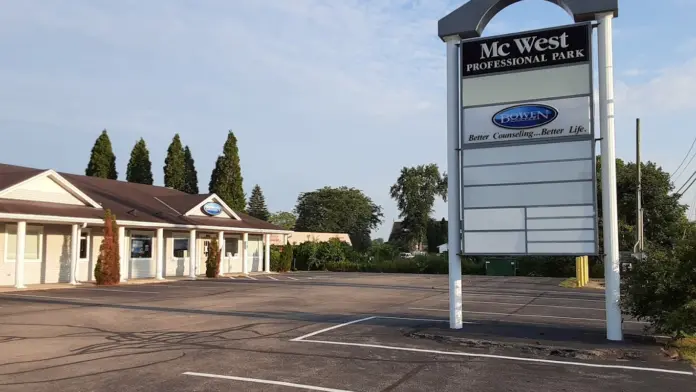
x=180, y=172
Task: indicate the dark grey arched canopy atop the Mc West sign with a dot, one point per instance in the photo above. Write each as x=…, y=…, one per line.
x=469, y=20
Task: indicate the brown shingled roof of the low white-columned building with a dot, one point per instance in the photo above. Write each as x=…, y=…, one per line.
x=128, y=201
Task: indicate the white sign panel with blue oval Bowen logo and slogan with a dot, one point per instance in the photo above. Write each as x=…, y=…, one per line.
x=543, y=119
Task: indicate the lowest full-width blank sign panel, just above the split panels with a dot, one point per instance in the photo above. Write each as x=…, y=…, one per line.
x=529, y=195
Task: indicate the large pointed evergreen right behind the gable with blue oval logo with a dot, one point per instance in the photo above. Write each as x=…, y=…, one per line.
x=226, y=179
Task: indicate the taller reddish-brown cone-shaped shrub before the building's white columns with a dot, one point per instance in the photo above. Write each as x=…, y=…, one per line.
x=107, y=271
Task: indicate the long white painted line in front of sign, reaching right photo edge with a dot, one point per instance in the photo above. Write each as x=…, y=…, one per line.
x=521, y=359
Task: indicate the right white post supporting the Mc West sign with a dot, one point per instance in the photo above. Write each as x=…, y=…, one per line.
x=608, y=145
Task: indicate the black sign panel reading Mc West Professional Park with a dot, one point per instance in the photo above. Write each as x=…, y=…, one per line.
x=534, y=49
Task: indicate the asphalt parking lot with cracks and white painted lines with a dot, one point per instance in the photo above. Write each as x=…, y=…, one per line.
x=323, y=332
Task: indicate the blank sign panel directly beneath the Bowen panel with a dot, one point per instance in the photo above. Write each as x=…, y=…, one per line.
x=528, y=153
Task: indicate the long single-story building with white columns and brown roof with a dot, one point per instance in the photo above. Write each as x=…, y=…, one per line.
x=51, y=226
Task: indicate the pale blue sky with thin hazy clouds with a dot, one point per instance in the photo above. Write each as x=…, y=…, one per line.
x=318, y=92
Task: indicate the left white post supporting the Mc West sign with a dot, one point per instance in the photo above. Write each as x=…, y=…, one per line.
x=453, y=180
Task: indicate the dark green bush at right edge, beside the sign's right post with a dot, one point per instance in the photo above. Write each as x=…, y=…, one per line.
x=662, y=289
